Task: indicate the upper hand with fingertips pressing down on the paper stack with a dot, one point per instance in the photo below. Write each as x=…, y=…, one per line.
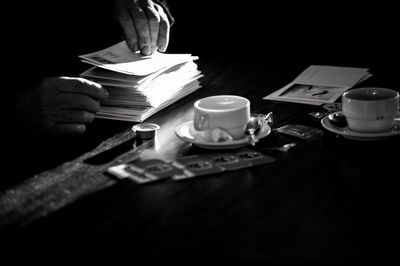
x=144, y=23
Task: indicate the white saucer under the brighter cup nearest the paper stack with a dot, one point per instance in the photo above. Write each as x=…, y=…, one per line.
x=187, y=132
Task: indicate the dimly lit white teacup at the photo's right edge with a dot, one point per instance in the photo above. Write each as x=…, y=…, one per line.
x=370, y=109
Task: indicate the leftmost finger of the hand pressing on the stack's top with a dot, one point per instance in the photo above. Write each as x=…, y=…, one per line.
x=125, y=20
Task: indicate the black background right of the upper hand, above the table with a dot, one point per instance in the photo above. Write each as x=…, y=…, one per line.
x=282, y=32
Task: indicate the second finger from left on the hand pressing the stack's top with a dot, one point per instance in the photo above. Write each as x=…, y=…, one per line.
x=142, y=28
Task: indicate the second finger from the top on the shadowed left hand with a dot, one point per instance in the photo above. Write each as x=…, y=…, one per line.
x=78, y=101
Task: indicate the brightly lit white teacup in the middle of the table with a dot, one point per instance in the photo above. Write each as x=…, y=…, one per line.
x=228, y=112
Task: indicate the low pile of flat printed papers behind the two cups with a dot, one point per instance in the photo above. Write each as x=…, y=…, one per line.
x=320, y=84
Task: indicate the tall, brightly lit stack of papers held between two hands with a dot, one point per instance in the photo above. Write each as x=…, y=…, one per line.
x=140, y=86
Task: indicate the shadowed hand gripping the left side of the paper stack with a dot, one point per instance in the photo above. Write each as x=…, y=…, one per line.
x=61, y=105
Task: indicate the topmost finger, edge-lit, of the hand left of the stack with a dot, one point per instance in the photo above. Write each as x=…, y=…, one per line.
x=84, y=86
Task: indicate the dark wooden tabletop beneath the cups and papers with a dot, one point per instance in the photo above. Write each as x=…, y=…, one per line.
x=329, y=200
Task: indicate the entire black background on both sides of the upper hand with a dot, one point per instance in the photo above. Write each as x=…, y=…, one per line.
x=45, y=37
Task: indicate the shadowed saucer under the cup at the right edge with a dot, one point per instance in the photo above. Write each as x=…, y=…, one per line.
x=350, y=134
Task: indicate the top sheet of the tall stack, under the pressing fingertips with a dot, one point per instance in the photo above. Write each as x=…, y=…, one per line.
x=121, y=59
